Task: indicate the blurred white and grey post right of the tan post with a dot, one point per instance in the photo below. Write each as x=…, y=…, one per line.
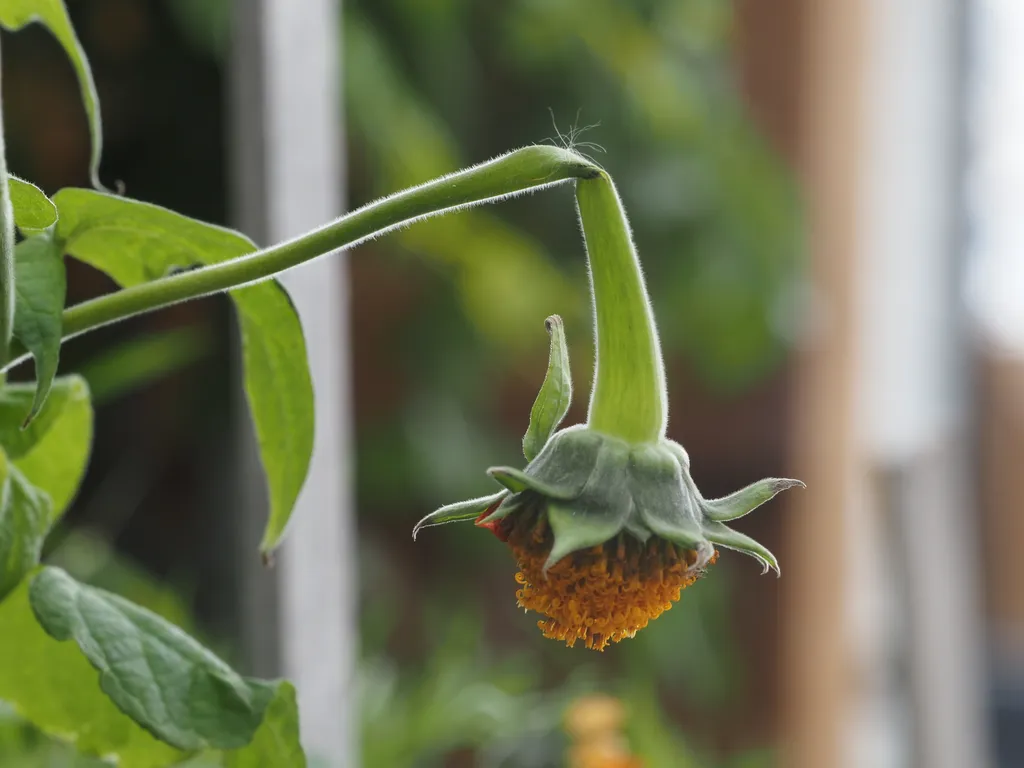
x=914, y=392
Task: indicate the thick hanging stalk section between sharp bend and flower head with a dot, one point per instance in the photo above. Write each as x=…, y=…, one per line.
x=629, y=399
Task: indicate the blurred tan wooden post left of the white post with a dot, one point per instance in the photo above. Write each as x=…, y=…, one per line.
x=815, y=652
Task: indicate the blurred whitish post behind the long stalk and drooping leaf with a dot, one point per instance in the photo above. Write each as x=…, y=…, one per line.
x=290, y=179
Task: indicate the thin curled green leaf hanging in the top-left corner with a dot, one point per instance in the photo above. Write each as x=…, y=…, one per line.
x=52, y=14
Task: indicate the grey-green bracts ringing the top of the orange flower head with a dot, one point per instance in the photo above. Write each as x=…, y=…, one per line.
x=593, y=487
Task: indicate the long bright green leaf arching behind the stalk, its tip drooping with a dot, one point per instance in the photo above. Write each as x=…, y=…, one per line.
x=135, y=243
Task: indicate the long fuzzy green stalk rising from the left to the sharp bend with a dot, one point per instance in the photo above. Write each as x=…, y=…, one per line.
x=518, y=173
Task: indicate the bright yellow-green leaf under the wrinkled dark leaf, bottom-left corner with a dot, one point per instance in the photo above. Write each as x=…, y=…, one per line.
x=53, y=687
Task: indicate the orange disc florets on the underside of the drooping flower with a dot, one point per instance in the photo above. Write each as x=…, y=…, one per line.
x=600, y=595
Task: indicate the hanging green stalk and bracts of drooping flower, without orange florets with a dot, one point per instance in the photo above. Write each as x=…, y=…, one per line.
x=619, y=474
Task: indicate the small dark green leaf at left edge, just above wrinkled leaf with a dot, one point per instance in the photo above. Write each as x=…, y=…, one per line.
x=25, y=521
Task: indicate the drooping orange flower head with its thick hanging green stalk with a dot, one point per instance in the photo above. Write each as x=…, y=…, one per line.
x=606, y=522
